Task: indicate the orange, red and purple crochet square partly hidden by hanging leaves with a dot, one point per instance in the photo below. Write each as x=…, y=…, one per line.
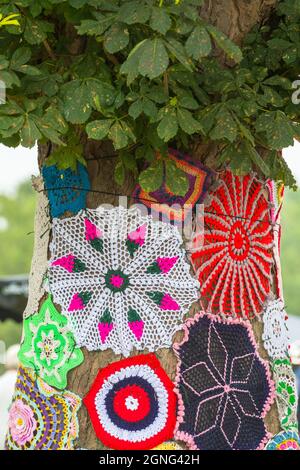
x=164, y=204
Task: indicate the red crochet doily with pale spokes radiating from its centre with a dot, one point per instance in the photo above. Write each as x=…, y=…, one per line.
x=234, y=263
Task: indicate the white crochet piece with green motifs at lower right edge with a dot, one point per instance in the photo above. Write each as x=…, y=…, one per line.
x=286, y=393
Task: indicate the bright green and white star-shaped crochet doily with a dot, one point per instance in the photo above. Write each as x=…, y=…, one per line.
x=49, y=347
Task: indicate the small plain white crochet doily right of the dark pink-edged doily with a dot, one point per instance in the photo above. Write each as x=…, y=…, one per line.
x=275, y=334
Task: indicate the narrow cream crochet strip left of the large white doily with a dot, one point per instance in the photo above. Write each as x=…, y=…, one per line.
x=39, y=262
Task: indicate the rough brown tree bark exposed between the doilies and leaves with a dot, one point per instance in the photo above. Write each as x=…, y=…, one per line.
x=235, y=18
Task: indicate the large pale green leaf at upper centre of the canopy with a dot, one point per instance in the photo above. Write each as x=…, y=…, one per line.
x=154, y=59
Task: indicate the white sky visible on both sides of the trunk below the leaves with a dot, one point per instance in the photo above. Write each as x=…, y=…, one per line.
x=18, y=164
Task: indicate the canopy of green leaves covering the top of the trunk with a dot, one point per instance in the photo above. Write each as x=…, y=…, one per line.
x=145, y=75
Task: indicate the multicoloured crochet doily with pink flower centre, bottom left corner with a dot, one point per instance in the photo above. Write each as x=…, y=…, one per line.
x=41, y=418
